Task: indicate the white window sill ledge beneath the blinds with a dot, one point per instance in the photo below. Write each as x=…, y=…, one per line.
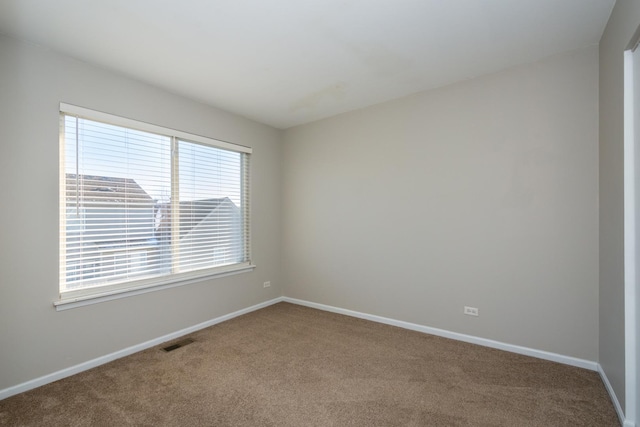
x=112, y=294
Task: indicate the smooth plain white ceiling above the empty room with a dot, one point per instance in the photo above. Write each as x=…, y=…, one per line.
x=288, y=62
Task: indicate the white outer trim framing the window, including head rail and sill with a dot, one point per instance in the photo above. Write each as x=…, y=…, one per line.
x=92, y=295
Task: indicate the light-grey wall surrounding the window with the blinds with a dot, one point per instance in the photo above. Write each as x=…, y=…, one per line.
x=37, y=340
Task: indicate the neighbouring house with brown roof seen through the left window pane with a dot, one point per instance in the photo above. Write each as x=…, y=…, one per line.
x=109, y=229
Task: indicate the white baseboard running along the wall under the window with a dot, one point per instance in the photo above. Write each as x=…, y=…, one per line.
x=63, y=373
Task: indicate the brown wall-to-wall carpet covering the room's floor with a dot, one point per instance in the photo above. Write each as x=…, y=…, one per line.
x=287, y=365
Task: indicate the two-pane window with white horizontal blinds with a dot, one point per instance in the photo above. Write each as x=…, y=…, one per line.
x=143, y=206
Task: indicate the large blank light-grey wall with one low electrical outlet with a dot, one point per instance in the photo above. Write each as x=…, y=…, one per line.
x=484, y=193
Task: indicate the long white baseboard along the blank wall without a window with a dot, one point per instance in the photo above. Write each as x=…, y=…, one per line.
x=540, y=354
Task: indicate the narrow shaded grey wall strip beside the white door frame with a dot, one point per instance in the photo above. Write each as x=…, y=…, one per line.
x=622, y=24
